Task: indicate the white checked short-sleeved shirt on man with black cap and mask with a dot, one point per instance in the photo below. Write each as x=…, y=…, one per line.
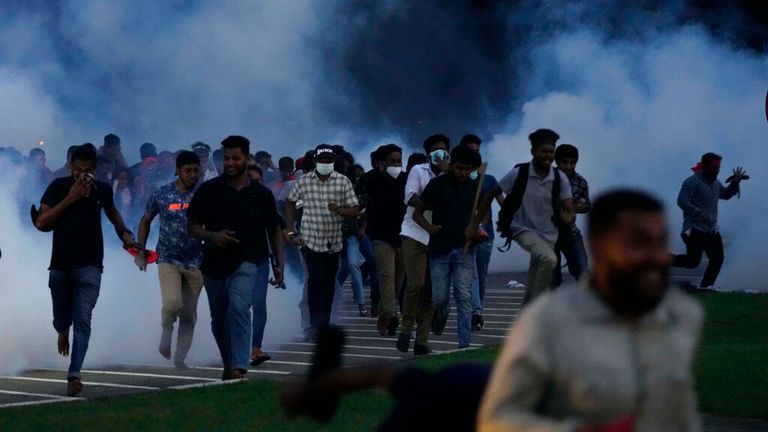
x=320, y=228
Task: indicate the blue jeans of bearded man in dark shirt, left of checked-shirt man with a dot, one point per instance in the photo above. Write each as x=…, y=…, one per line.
x=229, y=298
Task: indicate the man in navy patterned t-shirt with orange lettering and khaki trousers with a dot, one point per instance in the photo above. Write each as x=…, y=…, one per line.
x=179, y=256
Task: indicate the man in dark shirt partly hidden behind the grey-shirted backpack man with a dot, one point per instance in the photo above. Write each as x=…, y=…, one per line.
x=569, y=240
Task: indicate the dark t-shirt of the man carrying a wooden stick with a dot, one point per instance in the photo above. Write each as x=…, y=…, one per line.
x=451, y=206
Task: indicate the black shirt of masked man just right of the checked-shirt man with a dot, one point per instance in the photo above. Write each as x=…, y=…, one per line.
x=386, y=207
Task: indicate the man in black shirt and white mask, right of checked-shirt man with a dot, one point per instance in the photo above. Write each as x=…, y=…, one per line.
x=386, y=208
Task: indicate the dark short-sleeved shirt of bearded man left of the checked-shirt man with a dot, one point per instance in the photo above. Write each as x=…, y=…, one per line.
x=248, y=212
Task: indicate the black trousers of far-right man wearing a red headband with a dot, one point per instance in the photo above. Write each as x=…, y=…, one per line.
x=696, y=243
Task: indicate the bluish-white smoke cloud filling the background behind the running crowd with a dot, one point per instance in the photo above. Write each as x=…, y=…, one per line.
x=642, y=88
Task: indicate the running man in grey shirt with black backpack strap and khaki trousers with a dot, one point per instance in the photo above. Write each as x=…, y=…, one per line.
x=539, y=198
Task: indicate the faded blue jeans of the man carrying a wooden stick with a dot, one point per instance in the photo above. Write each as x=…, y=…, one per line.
x=453, y=269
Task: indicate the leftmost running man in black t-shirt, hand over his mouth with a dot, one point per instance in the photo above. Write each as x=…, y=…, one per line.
x=71, y=207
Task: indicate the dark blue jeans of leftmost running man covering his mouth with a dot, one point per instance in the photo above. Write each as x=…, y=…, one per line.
x=74, y=294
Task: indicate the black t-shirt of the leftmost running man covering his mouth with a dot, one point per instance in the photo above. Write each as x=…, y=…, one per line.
x=77, y=238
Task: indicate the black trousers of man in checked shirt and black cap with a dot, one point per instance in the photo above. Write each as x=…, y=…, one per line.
x=321, y=285
